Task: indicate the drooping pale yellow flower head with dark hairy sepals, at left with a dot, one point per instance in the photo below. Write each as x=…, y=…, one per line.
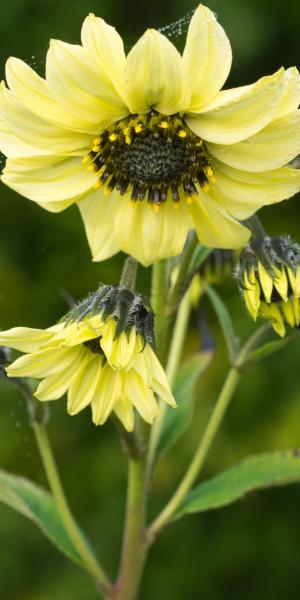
x=100, y=353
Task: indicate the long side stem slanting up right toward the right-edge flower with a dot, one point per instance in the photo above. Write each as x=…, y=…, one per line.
x=212, y=427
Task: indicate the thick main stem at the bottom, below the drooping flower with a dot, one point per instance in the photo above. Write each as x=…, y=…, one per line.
x=134, y=543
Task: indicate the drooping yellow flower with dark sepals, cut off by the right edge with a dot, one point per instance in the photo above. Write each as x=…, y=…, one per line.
x=269, y=280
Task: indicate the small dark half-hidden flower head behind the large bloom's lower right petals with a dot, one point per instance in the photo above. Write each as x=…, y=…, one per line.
x=214, y=269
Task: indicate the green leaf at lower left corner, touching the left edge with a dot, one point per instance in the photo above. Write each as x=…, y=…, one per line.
x=38, y=505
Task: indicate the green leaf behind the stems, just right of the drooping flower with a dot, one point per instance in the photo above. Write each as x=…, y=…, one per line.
x=177, y=420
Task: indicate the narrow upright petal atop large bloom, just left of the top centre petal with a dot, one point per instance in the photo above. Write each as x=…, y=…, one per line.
x=106, y=46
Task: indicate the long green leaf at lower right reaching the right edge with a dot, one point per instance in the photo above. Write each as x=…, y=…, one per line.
x=254, y=473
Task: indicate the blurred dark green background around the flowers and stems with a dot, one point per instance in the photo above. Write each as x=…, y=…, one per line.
x=250, y=550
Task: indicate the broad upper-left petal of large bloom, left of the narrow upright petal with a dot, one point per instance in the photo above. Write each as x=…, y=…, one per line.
x=81, y=87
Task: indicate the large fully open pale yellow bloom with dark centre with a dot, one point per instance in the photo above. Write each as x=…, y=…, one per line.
x=118, y=134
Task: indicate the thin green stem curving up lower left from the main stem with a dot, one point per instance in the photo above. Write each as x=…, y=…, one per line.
x=80, y=544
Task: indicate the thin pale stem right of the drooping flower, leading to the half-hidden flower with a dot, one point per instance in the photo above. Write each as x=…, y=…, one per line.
x=171, y=370
